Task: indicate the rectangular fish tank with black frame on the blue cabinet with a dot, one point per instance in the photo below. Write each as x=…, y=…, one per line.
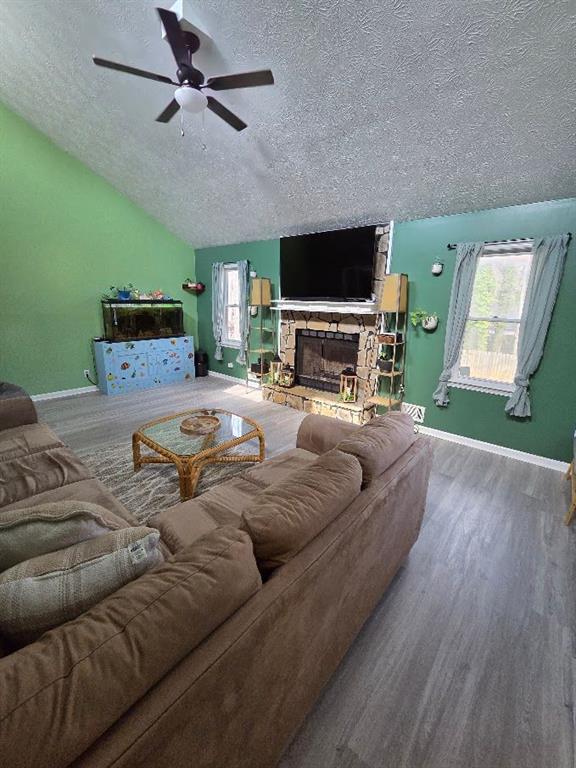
x=133, y=320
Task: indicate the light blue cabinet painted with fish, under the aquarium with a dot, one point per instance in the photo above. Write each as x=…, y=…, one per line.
x=125, y=366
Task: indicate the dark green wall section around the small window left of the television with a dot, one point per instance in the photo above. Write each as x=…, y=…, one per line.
x=264, y=258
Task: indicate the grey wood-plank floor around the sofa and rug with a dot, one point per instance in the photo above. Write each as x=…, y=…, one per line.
x=469, y=661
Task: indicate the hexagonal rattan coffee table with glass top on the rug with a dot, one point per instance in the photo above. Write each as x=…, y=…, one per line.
x=190, y=453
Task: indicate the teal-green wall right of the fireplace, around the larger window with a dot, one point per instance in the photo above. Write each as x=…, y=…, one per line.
x=417, y=244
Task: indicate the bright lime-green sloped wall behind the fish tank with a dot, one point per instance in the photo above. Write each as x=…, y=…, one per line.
x=65, y=236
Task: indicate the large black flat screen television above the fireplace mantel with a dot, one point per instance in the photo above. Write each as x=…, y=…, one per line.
x=336, y=266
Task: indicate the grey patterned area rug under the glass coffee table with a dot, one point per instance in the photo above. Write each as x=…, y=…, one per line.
x=155, y=486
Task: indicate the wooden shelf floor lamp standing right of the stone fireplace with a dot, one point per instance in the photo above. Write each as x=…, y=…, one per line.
x=392, y=321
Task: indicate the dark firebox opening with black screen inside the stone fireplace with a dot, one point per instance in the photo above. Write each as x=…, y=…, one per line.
x=322, y=355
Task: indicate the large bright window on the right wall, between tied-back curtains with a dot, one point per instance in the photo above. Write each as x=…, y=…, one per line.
x=488, y=355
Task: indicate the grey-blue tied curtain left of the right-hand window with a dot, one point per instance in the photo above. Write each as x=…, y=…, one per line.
x=460, y=298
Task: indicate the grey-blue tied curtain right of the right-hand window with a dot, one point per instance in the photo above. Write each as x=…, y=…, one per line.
x=548, y=257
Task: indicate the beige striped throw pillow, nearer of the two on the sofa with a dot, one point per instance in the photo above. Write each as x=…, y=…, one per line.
x=46, y=591
